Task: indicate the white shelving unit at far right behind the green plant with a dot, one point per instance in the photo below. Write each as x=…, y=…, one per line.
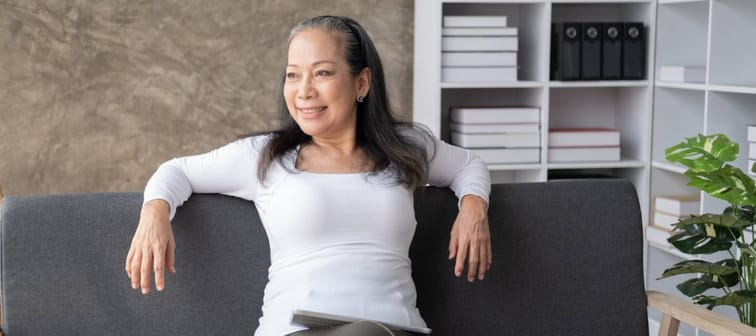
x=713, y=34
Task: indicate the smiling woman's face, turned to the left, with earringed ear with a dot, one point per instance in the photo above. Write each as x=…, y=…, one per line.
x=320, y=90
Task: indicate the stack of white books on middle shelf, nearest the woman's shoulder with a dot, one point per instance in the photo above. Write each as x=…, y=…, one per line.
x=499, y=135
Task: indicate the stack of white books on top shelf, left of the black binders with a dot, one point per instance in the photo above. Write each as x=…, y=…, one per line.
x=478, y=49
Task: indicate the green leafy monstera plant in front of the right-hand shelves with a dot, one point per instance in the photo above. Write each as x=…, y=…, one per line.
x=706, y=158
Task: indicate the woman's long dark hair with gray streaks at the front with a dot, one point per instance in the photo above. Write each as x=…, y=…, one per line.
x=383, y=138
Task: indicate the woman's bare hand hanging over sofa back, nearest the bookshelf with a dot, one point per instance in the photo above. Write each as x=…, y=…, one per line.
x=471, y=239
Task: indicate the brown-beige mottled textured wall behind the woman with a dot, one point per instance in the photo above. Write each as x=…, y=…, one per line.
x=94, y=95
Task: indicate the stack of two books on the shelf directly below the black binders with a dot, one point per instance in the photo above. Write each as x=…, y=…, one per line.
x=584, y=145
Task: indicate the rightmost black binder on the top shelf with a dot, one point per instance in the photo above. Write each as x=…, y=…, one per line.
x=633, y=51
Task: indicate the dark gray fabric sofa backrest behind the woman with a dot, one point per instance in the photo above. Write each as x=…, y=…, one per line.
x=567, y=261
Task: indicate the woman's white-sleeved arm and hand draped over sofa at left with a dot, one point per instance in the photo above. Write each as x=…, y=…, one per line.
x=230, y=170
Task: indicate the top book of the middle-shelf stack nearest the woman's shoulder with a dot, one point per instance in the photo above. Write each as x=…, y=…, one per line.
x=498, y=114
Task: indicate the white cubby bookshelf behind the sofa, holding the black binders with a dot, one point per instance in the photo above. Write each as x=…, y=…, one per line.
x=623, y=104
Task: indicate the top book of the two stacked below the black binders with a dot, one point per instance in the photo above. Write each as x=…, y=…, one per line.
x=583, y=137
